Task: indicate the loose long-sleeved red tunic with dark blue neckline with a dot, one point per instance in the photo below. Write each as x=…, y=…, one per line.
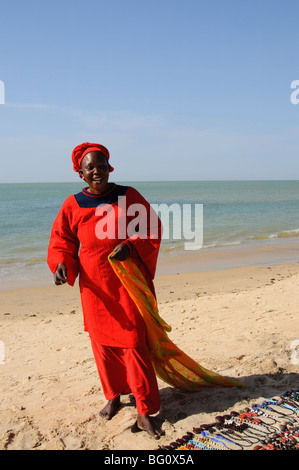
x=83, y=236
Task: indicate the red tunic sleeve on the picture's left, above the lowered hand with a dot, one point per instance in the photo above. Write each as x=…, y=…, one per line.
x=64, y=244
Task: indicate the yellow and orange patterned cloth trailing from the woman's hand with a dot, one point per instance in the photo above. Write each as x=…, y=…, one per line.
x=171, y=364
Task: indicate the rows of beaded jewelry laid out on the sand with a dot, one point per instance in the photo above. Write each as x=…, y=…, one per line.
x=271, y=425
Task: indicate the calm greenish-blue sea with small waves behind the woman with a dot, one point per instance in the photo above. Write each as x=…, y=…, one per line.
x=234, y=213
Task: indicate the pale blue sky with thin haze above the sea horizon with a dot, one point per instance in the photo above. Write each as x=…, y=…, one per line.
x=176, y=89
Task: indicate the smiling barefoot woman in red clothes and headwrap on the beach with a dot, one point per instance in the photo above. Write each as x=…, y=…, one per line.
x=89, y=226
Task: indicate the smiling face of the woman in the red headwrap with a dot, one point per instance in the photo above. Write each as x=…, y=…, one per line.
x=95, y=172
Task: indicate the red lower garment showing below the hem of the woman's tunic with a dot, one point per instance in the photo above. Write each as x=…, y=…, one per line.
x=128, y=370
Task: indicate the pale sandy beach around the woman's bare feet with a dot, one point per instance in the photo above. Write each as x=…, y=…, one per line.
x=241, y=322
